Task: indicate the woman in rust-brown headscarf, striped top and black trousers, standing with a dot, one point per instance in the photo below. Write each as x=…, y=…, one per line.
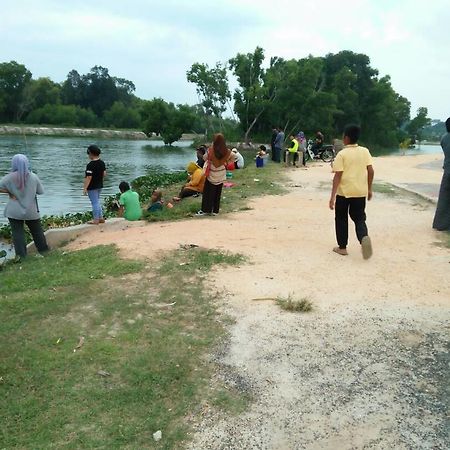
x=216, y=159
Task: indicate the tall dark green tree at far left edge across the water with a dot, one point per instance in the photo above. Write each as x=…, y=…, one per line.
x=13, y=79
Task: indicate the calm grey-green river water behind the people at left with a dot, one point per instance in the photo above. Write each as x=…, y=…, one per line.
x=60, y=164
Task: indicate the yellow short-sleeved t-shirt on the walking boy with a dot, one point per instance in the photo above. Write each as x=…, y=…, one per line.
x=352, y=161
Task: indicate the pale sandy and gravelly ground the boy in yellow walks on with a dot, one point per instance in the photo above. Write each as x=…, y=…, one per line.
x=368, y=367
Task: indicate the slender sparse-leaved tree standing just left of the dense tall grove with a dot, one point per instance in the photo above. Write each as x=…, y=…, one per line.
x=212, y=88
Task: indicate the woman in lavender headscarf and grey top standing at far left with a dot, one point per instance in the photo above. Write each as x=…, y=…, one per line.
x=22, y=186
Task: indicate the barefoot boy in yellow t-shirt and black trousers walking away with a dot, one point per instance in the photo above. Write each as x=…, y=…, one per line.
x=352, y=184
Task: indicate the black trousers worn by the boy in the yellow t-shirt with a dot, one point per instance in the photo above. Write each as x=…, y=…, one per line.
x=355, y=207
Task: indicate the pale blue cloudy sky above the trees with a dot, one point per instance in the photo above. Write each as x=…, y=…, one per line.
x=153, y=43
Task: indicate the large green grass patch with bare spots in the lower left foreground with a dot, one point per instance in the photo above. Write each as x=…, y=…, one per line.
x=142, y=365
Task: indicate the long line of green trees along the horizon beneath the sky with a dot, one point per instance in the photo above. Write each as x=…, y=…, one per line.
x=308, y=94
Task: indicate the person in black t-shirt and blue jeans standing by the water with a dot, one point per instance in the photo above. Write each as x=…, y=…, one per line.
x=93, y=183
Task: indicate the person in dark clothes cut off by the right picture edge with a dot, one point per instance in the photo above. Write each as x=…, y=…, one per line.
x=441, y=220
